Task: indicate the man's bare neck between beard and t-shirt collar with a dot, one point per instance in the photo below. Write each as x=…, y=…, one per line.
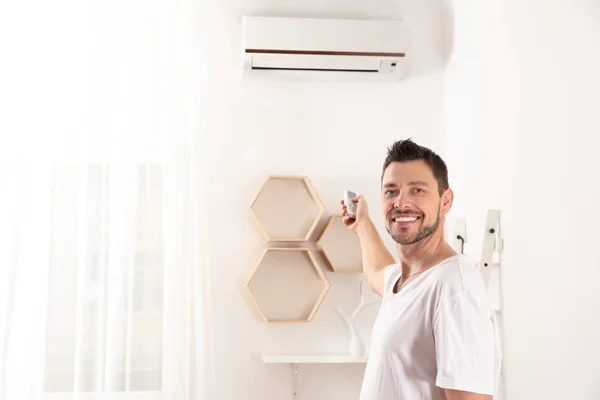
x=424, y=254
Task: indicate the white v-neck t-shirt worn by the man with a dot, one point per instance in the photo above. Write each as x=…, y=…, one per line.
x=439, y=332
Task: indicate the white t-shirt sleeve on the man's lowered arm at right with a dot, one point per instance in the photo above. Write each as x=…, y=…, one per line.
x=464, y=332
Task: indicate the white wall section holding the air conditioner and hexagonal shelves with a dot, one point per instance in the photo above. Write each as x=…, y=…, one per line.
x=335, y=133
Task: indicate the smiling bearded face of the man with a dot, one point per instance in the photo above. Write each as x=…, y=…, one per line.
x=411, y=204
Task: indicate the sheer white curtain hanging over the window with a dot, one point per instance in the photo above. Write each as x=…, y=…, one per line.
x=101, y=265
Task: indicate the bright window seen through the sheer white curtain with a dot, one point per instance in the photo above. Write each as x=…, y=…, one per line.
x=105, y=303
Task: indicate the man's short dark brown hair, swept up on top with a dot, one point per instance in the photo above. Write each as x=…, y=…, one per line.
x=407, y=150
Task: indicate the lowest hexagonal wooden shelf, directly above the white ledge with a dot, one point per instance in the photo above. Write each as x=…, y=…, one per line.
x=287, y=285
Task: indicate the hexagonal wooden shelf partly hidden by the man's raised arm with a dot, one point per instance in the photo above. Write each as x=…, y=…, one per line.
x=339, y=246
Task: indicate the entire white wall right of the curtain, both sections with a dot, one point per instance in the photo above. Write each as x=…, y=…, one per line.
x=515, y=115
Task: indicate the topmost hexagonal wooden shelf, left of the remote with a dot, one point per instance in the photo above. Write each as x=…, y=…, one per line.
x=287, y=209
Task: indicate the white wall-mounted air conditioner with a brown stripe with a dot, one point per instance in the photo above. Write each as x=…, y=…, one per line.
x=323, y=48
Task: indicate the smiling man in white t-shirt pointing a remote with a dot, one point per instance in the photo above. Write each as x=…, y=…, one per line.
x=436, y=334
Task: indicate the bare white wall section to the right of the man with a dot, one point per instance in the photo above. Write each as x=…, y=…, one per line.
x=522, y=124
